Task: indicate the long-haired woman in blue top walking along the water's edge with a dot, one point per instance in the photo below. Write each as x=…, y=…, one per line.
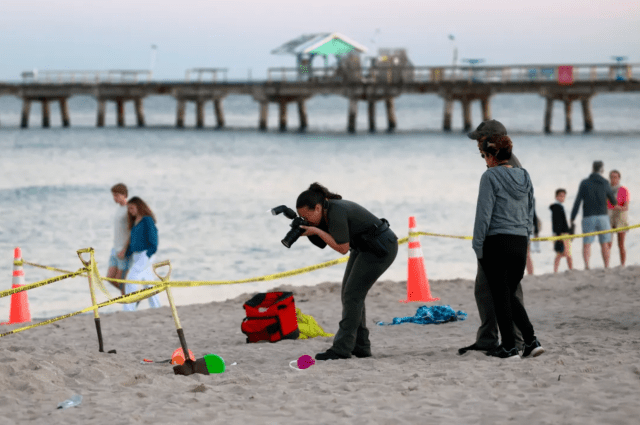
x=143, y=244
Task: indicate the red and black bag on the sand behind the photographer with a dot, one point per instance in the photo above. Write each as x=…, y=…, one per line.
x=270, y=317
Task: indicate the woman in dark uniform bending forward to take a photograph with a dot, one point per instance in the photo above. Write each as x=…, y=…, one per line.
x=346, y=226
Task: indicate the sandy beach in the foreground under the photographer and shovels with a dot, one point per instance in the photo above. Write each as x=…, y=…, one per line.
x=587, y=321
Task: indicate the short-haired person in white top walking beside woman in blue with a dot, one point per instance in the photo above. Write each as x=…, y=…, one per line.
x=118, y=267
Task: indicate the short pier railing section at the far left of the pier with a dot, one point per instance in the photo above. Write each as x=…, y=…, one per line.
x=86, y=77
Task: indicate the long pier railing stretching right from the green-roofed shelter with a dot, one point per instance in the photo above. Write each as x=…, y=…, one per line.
x=484, y=74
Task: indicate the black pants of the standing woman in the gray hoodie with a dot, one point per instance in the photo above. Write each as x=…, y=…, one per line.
x=504, y=261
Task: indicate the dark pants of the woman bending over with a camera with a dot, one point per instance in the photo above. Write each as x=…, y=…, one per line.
x=363, y=269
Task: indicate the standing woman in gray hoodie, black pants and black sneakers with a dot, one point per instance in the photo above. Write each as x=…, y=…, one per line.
x=504, y=221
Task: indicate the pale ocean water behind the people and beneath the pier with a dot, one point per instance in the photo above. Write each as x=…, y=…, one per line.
x=211, y=190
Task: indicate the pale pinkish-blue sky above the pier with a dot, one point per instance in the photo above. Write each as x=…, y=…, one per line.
x=240, y=34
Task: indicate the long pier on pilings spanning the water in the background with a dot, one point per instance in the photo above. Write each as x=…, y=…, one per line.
x=556, y=83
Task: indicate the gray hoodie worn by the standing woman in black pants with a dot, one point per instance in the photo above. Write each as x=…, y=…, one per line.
x=505, y=205
